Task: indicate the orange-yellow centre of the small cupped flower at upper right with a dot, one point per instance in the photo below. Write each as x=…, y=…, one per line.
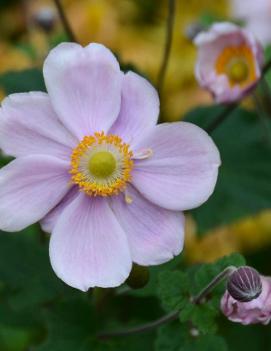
x=238, y=64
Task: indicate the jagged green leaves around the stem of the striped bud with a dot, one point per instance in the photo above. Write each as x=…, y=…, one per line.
x=177, y=289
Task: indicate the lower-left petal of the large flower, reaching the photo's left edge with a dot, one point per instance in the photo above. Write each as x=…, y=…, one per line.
x=29, y=188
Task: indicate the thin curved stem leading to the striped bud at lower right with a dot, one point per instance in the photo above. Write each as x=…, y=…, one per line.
x=171, y=316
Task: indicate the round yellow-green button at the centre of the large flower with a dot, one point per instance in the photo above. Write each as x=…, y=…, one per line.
x=102, y=164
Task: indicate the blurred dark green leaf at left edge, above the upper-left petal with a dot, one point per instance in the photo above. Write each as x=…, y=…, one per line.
x=22, y=81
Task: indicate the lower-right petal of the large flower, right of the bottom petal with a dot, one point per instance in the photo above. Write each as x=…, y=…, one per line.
x=155, y=235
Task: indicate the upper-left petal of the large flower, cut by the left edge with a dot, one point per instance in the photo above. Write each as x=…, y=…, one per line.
x=29, y=125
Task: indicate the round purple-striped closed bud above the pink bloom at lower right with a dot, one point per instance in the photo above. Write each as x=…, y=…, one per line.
x=245, y=284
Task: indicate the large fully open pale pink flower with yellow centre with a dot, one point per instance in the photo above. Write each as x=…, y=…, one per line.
x=95, y=168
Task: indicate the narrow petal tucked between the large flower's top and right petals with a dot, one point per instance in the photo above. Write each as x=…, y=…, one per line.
x=139, y=108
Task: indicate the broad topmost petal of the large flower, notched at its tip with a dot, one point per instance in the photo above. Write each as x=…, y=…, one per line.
x=84, y=85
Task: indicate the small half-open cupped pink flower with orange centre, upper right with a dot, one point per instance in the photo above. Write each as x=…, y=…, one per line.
x=229, y=61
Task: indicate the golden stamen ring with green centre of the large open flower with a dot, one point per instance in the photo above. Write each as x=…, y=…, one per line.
x=101, y=165
